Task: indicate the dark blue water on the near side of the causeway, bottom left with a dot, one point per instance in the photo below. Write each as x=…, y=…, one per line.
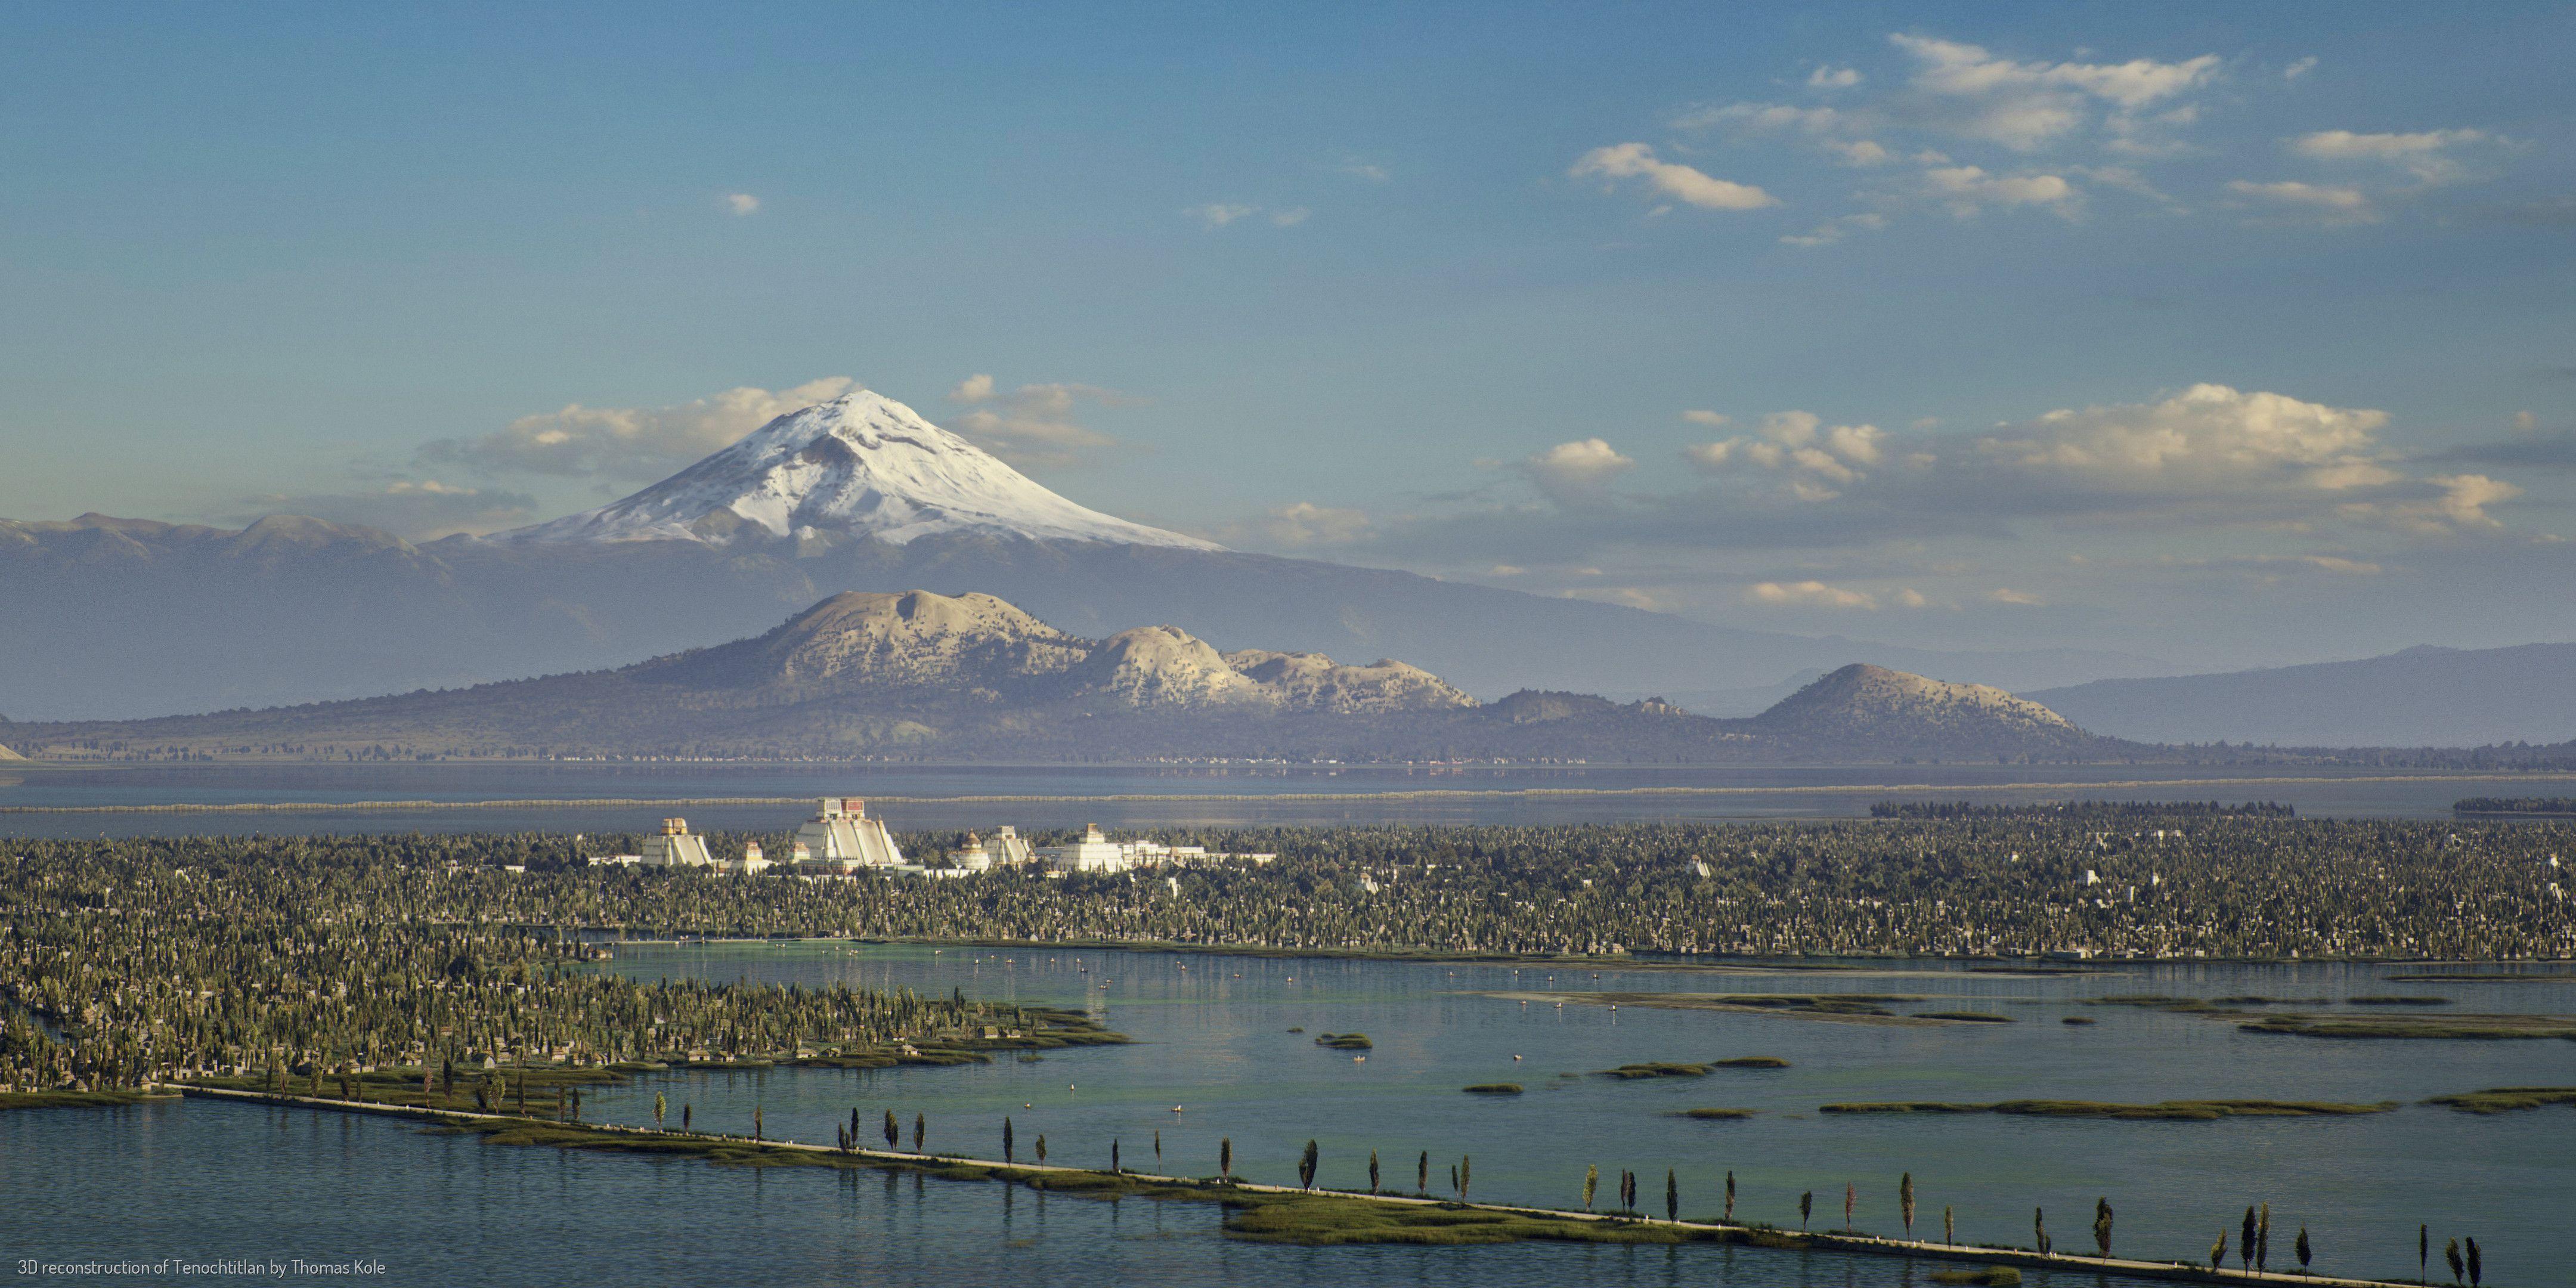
x=207, y=1181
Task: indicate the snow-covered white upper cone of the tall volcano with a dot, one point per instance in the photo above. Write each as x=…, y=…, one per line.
x=854, y=468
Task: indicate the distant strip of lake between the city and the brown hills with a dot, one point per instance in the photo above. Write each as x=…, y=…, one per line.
x=952, y=797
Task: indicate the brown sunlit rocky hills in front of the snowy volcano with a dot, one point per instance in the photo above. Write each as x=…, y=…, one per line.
x=978, y=679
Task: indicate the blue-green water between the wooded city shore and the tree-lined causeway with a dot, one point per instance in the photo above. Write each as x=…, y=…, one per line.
x=1215, y=1039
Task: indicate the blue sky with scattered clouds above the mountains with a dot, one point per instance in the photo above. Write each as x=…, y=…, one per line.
x=2219, y=334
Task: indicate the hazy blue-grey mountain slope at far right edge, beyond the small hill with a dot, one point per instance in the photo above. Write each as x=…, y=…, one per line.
x=2407, y=699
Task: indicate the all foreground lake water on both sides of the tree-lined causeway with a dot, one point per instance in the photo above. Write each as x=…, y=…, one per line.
x=1217, y=1060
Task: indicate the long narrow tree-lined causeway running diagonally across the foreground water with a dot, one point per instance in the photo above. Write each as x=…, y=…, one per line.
x=1086, y=1181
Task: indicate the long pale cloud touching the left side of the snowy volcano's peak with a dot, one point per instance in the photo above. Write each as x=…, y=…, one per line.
x=630, y=442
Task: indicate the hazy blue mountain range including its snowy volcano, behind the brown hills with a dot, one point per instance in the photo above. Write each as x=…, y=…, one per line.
x=112, y=617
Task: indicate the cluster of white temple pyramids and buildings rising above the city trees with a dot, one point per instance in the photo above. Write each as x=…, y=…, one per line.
x=844, y=841
